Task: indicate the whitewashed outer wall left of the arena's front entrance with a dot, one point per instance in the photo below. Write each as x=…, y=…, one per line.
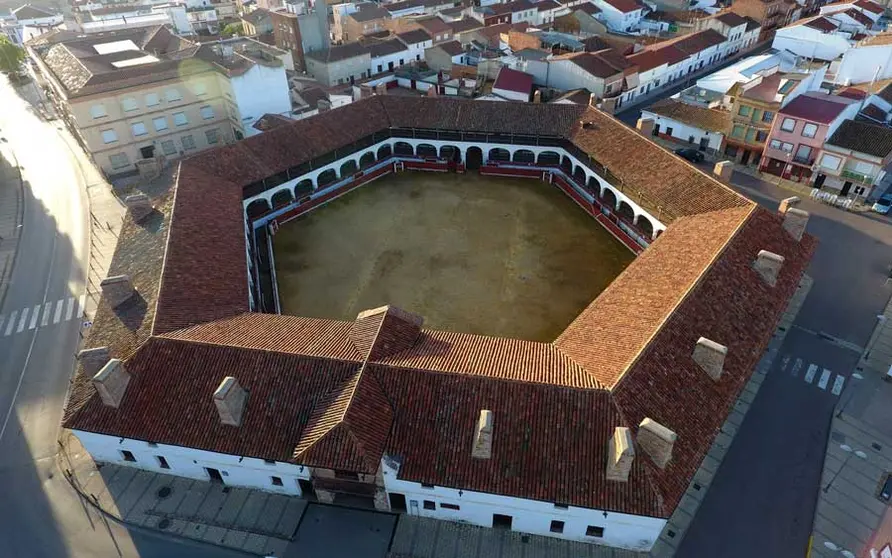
x=187, y=462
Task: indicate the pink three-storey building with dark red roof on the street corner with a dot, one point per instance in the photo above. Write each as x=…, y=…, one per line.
x=799, y=131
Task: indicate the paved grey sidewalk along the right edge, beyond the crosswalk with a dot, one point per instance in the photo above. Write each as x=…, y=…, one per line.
x=852, y=515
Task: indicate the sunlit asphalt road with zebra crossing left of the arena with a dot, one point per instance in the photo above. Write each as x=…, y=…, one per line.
x=41, y=515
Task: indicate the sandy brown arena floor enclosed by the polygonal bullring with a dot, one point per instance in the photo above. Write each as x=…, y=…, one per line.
x=507, y=257
